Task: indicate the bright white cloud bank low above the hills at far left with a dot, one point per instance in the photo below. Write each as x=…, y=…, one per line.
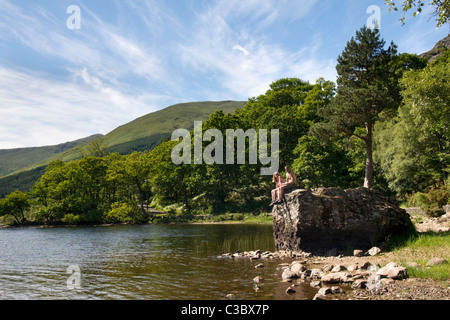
x=36, y=109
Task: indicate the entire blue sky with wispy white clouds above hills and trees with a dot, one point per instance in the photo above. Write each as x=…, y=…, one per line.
x=73, y=68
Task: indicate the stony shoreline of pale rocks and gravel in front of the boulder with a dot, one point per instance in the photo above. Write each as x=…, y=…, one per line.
x=357, y=277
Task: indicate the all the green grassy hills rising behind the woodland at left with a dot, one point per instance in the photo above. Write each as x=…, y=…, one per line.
x=22, y=167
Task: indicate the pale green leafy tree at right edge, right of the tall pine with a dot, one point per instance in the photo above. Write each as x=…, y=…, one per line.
x=413, y=149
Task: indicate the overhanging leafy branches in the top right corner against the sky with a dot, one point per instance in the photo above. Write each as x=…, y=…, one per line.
x=441, y=9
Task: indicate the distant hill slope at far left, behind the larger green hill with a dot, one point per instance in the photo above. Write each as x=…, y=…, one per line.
x=13, y=160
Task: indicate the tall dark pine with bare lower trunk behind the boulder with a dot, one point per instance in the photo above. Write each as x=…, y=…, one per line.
x=366, y=86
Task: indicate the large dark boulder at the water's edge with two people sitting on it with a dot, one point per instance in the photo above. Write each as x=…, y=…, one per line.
x=324, y=219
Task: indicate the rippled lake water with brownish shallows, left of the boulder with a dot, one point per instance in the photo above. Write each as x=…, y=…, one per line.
x=151, y=262
